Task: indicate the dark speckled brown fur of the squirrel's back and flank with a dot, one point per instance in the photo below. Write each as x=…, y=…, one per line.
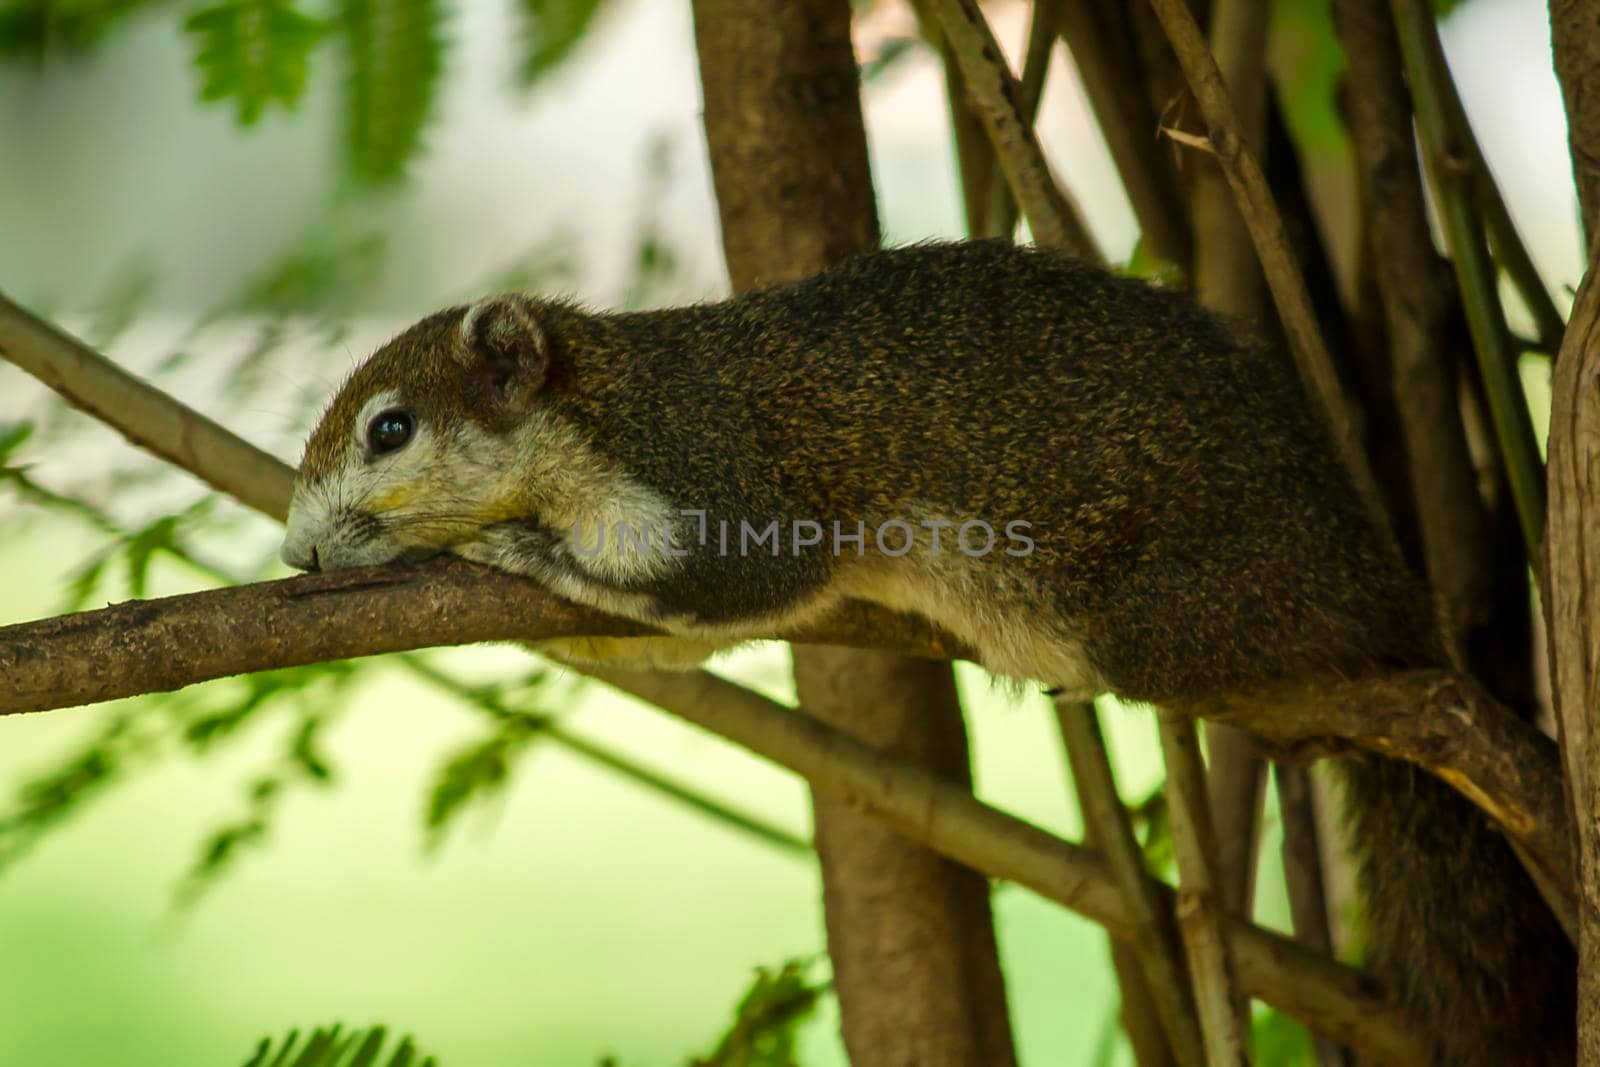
x=1193, y=529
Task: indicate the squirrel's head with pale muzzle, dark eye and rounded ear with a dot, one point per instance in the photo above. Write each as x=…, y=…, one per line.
x=414, y=455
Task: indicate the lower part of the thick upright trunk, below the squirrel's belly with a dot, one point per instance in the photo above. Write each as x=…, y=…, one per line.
x=910, y=932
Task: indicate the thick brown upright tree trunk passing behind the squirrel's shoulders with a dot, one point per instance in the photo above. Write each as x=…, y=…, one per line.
x=910, y=933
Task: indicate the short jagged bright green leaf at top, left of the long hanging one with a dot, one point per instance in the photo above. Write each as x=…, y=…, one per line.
x=254, y=52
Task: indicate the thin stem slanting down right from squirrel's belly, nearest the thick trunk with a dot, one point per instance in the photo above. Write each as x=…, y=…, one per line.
x=1154, y=938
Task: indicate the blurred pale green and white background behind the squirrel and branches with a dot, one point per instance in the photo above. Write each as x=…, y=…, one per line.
x=180, y=877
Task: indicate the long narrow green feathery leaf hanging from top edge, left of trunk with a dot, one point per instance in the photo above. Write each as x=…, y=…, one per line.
x=396, y=52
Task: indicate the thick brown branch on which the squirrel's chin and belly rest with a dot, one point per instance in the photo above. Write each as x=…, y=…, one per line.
x=162, y=645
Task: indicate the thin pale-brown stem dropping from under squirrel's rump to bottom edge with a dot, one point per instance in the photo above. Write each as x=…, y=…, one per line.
x=1223, y=1010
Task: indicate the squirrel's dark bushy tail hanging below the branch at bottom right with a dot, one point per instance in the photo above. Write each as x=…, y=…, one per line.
x=1457, y=925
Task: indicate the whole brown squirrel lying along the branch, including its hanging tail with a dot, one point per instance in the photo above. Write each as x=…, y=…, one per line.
x=1086, y=479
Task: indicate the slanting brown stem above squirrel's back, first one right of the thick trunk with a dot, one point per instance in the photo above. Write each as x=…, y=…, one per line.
x=1052, y=215
